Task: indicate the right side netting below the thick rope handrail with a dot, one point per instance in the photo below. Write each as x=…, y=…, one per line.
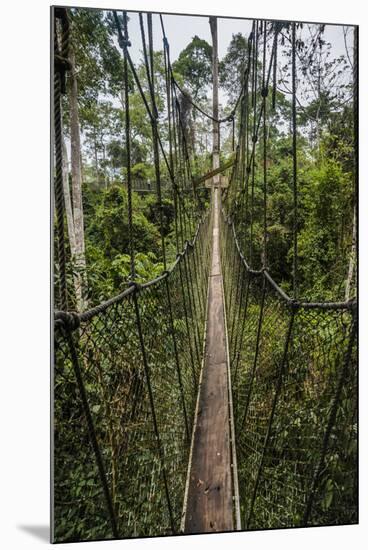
x=294, y=381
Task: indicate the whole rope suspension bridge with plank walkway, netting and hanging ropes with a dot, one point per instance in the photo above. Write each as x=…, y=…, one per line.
x=207, y=399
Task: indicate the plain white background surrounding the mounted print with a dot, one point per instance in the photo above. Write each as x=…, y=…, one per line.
x=24, y=273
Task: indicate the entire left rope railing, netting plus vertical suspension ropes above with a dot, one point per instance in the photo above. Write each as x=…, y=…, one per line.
x=126, y=371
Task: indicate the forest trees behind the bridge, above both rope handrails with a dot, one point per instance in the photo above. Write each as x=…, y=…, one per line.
x=96, y=155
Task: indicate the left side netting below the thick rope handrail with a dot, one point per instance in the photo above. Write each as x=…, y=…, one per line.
x=138, y=358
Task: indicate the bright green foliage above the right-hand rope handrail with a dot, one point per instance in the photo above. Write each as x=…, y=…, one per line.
x=324, y=214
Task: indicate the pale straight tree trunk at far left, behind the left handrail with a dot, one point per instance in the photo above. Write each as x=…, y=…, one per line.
x=80, y=260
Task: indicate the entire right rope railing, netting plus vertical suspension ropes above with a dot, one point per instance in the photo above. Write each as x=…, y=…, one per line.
x=293, y=363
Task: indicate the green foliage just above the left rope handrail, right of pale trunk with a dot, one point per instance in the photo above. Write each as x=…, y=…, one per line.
x=107, y=239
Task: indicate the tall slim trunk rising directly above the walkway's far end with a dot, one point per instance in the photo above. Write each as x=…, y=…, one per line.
x=215, y=103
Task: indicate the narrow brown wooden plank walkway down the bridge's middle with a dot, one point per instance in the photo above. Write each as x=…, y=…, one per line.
x=209, y=504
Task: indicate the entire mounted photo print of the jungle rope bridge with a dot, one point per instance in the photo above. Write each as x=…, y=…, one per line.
x=205, y=183
